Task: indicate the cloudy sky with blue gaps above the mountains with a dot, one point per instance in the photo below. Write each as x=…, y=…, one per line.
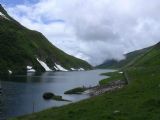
x=94, y=30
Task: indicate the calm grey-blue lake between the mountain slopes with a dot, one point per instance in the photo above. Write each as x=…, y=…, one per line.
x=24, y=95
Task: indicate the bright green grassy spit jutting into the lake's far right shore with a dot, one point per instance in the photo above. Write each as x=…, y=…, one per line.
x=112, y=76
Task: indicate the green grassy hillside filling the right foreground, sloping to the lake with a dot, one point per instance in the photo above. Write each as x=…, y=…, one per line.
x=139, y=100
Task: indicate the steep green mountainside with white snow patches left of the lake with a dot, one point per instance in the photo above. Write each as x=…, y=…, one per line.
x=24, y=50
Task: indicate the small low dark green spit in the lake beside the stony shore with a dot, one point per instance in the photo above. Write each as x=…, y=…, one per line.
x=77, y=90
